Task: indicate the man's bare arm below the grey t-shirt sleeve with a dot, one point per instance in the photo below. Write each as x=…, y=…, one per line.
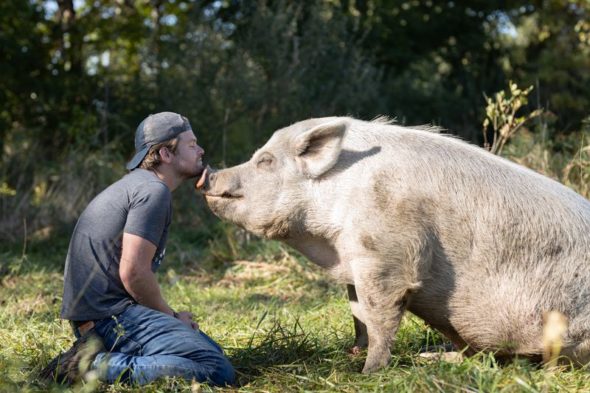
x=135, y=270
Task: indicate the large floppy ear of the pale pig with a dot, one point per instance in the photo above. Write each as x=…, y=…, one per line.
x=317, y=150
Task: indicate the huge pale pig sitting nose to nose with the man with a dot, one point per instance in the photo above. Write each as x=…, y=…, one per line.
x=411, y=219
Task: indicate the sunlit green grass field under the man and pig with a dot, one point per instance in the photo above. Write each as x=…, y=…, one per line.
x=283, y=323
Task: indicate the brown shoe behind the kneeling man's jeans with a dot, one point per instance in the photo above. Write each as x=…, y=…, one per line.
x=70, y=366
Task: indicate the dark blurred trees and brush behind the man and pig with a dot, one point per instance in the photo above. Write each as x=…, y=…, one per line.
x=77, y=76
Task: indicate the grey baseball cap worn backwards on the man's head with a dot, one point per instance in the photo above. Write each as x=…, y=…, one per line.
x=156, y=129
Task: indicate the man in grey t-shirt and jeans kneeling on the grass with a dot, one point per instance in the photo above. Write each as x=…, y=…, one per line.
x=110, y=290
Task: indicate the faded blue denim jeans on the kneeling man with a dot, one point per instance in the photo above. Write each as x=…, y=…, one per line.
x=143, y=345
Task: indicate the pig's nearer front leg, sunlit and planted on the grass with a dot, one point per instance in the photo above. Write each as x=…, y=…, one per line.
x=383, y=299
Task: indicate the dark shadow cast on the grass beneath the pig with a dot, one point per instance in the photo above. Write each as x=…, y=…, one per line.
x=287, y=349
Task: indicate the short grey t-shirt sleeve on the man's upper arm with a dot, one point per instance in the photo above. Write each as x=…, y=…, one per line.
x=149, y=211
